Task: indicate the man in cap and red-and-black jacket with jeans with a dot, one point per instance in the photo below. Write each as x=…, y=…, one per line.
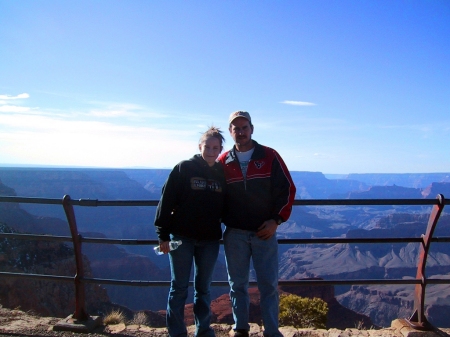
x=259, y=198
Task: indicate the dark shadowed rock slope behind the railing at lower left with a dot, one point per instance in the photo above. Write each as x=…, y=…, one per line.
x=46, y=297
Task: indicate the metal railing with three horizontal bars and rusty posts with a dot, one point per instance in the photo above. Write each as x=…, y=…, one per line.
x=417, y=320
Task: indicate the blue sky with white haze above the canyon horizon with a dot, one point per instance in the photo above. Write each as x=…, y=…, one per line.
x=337, y=87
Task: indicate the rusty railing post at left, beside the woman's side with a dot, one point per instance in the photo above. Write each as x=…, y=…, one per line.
x=80, y=298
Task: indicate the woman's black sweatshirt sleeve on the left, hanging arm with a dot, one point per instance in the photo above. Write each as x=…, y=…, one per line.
x=169, y=199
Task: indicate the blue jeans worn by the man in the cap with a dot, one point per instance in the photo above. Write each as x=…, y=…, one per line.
x=241, y=246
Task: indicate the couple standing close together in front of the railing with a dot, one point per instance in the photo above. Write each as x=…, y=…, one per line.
x=250, y=190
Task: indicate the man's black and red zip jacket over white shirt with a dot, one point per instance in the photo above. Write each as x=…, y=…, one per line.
x=267, y=192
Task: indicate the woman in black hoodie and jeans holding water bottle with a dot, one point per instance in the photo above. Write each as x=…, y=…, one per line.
x=190, y=210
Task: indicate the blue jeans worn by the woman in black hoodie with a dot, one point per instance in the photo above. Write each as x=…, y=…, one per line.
x=204, y=255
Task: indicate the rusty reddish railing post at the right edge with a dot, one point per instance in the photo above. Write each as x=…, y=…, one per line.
x=418, y=320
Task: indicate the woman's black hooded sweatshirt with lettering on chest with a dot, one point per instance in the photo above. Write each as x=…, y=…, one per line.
x=192, y=200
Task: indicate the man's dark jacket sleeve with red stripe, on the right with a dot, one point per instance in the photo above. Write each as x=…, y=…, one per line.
x=283, y=189
